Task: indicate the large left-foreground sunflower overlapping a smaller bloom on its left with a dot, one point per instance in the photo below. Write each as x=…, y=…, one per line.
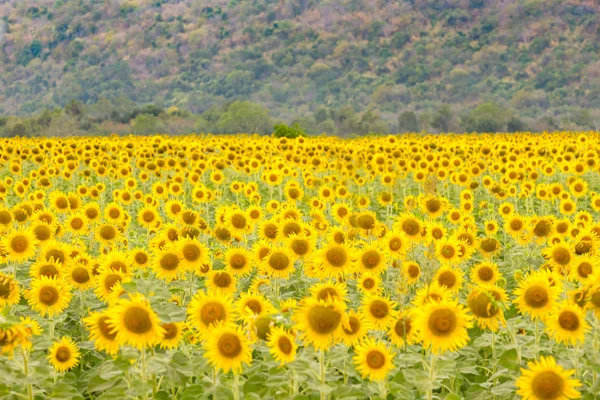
x=135, y=323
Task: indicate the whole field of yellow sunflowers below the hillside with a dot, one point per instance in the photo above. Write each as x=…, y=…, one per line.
x=254, y=267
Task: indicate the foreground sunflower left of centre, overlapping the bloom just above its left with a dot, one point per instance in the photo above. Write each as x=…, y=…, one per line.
x=227, y=349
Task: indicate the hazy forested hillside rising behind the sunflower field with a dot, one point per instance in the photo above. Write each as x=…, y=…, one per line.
x=332, y=65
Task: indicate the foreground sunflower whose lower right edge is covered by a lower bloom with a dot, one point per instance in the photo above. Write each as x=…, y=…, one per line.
x=206, y=310
